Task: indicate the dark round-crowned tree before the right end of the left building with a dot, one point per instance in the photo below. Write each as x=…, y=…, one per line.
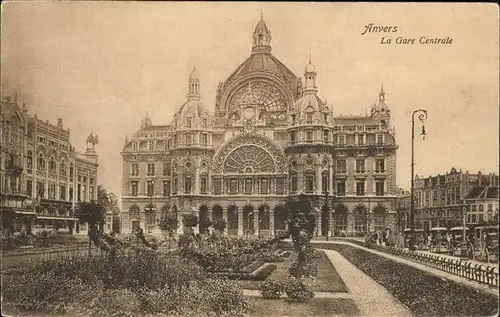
x=91, y=213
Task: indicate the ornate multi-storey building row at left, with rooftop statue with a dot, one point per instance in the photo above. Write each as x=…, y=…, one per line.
x=42, y=174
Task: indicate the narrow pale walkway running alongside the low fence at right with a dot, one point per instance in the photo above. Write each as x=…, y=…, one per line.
x=461, y=280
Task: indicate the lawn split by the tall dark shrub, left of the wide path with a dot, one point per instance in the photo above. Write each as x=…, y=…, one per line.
x=328, y=279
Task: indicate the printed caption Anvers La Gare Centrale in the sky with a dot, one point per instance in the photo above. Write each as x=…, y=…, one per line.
x=371, y=28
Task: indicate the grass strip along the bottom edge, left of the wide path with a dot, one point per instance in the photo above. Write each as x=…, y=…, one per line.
x=313, y=307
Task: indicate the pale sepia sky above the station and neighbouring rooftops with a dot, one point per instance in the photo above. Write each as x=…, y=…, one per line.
x=101, y=65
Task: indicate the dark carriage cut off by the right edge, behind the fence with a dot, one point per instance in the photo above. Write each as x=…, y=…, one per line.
x=486, y=243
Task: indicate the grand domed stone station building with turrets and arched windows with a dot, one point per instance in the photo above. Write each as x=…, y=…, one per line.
x=269, y=138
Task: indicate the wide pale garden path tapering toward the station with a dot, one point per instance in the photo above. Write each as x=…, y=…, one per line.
x=371, y=298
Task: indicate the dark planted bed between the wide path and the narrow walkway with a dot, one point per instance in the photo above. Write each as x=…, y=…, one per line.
x=423, y=293
